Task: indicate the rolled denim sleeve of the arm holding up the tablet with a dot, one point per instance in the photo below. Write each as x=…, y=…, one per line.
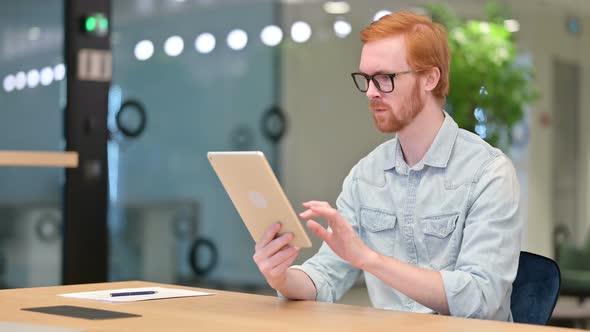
x=331, y=275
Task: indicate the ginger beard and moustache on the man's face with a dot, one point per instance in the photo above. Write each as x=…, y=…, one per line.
x=391, y=121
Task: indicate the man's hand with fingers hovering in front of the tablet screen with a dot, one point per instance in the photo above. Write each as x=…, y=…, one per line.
x=343, y=240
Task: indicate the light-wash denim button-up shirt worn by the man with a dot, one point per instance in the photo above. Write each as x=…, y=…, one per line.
x=456, y=212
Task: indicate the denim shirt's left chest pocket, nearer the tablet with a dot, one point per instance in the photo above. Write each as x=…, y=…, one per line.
x=377, y=229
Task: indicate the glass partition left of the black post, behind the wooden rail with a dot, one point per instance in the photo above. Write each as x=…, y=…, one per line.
x=31, y=106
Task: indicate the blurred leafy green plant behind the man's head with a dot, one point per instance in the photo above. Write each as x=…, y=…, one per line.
x=489, y=87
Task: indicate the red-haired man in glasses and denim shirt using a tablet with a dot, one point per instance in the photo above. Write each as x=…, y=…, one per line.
x=429, y=217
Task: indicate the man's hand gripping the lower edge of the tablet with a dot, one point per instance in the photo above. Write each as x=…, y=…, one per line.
x=273, y=256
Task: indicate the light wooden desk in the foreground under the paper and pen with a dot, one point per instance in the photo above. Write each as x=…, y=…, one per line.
x=229, y=311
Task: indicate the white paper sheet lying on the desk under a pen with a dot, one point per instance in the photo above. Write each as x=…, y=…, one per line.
x=160, y=293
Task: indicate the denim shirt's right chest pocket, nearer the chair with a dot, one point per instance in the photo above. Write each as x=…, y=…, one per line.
x=439, y=240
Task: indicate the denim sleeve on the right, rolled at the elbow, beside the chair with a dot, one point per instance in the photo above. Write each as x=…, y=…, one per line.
x=481, y=284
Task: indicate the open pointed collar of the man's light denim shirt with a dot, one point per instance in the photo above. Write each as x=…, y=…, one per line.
x=438, y=154
